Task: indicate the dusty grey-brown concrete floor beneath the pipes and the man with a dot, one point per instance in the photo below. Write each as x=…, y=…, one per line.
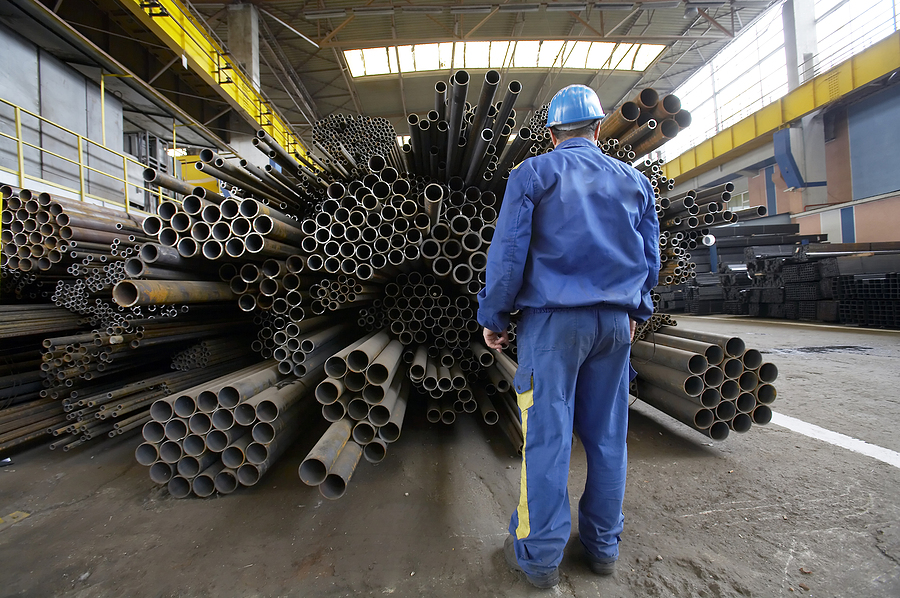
x=767, y=513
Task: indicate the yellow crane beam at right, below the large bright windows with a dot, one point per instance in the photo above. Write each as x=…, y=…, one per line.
x=756, y=130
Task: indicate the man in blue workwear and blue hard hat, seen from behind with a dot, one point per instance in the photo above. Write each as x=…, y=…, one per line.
x=576, y=250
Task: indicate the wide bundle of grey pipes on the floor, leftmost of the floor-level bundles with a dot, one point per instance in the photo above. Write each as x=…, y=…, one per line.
x=227, y=431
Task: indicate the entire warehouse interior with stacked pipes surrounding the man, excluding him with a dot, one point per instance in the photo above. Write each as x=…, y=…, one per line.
x=240, y=254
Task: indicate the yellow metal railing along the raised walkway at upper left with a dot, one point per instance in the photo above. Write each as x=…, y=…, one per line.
x=79, y=163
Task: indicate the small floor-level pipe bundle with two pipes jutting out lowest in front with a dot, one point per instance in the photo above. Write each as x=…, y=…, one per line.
x=364, y=396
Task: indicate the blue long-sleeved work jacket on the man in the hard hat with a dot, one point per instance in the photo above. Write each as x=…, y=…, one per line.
x=576, y=228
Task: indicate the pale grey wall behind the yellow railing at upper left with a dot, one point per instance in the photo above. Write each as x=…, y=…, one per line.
x=37, y=81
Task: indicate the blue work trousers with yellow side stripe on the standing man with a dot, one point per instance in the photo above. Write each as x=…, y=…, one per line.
x=573, y=370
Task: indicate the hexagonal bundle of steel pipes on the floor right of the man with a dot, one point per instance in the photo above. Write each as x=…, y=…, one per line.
x=710, y=382
